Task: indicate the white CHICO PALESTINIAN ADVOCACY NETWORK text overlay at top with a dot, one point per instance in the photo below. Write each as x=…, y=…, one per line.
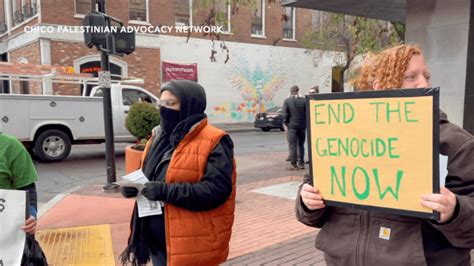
x=123, y=29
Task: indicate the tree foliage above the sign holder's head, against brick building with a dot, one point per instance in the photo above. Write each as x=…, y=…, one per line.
x=352, y=35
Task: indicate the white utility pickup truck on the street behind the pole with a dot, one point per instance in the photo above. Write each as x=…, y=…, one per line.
x=49, y=125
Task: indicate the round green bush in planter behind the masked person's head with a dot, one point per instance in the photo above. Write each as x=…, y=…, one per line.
x=141, y=119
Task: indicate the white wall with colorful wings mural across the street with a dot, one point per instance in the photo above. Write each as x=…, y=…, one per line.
x=256, y=78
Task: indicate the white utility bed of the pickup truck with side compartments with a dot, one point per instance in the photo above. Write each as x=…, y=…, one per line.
x=23, y=115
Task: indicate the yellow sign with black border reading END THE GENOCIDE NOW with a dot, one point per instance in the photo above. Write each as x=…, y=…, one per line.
x=376, y=149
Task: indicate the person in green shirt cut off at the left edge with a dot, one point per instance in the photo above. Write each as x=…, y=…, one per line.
x=18, y=172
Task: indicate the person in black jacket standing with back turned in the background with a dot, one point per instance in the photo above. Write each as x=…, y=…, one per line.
x=294, y=117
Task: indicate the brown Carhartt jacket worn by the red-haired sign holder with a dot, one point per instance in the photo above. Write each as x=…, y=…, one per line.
x=352, y=237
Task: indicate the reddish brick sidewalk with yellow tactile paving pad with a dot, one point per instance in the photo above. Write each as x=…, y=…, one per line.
x=90, y=227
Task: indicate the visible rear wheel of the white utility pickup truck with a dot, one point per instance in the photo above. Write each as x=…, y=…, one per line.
x=52, y=145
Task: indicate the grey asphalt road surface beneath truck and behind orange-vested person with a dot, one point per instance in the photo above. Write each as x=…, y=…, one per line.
x=86, y=163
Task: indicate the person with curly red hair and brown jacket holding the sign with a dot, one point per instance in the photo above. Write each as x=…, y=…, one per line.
x=413, y=241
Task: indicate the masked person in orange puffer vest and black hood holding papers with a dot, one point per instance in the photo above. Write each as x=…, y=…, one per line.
x=191, y=168
